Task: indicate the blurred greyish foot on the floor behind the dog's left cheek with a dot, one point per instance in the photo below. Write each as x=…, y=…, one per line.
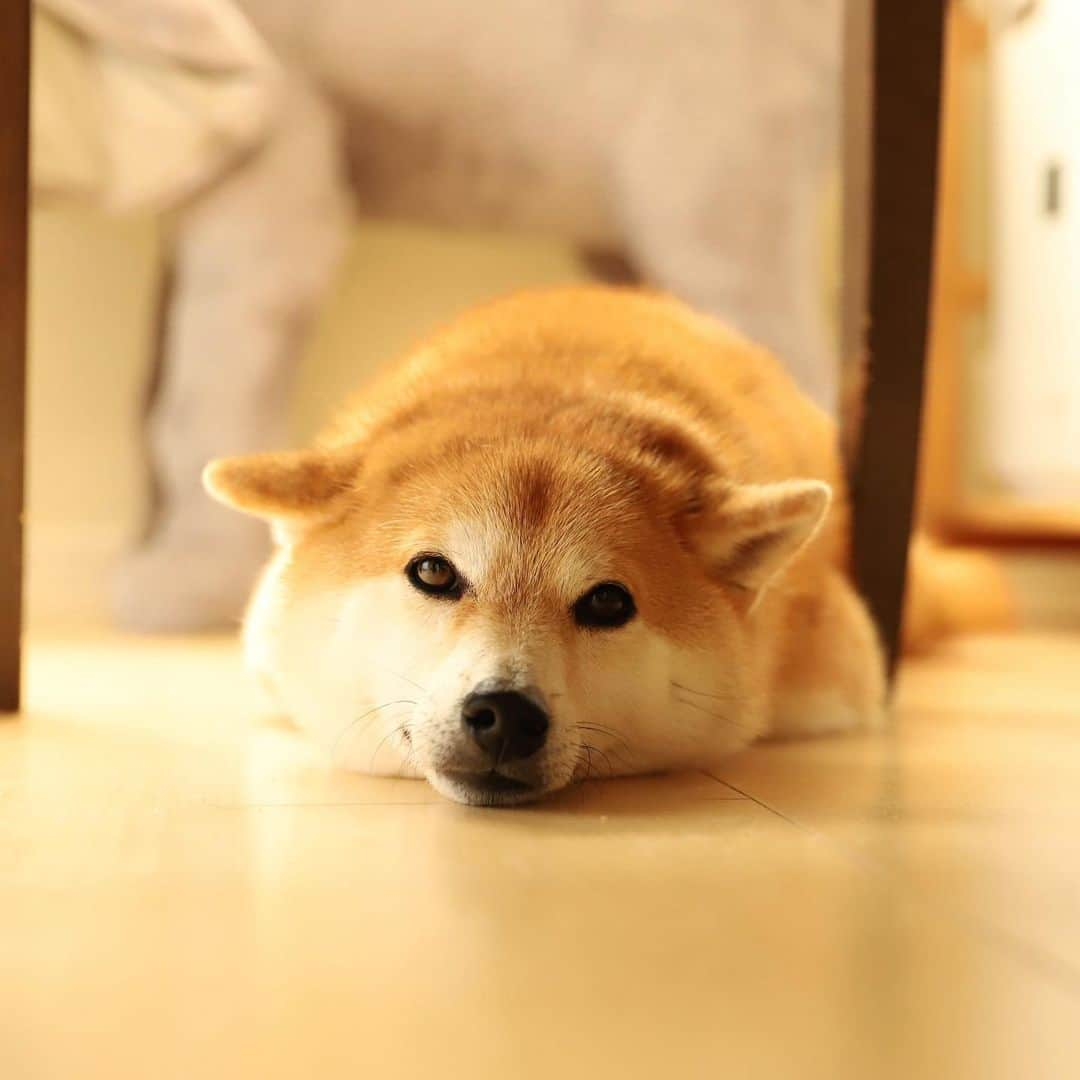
x=168, y=587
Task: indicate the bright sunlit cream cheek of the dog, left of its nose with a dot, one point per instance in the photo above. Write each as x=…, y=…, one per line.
x=361, y=667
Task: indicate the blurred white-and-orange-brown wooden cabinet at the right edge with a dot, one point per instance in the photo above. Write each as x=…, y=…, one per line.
x=1002, y=447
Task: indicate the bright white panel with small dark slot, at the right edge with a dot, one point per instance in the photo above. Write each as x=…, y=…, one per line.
x=1033, y=426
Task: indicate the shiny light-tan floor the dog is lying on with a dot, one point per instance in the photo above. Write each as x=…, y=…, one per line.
x=186, y=893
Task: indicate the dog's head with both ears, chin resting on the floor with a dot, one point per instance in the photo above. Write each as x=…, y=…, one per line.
x=505, y=622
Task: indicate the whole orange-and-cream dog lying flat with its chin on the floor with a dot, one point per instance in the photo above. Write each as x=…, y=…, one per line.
x=577, y=533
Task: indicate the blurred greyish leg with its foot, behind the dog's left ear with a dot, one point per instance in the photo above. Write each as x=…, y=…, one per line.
x=251, y=263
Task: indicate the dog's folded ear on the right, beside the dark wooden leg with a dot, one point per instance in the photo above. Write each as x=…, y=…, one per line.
x=757, y=530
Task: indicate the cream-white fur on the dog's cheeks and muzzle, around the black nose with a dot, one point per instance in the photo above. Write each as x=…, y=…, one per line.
x=360, y=667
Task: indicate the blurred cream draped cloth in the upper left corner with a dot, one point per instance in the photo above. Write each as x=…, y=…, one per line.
x=139, y=104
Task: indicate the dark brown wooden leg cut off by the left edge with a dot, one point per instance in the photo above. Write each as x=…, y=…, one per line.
x=15, y=144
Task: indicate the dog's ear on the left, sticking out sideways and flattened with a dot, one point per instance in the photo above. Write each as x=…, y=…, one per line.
x=287, y=485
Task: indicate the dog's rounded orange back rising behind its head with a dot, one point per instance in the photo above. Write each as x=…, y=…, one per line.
x=642, y=355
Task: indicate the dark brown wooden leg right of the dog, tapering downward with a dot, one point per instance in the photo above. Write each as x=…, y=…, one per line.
x=902, y=53
